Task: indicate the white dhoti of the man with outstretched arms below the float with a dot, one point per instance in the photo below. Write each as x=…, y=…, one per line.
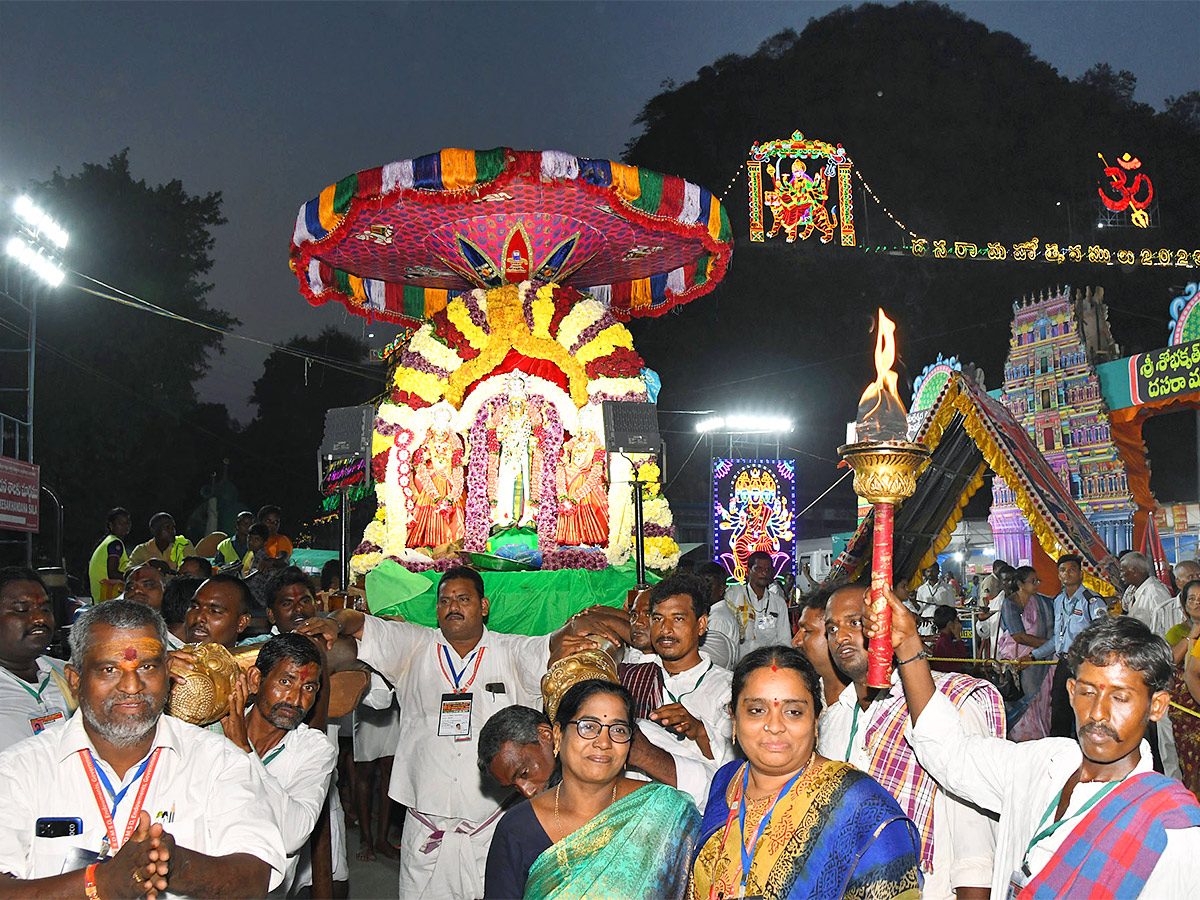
x=445, y=857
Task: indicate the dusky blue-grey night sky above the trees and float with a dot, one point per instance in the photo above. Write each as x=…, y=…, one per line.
x=271, y=103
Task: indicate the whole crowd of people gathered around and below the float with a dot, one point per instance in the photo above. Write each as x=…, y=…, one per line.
x=735, y=748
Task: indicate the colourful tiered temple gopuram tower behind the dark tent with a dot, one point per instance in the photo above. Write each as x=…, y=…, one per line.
x=1052, y=388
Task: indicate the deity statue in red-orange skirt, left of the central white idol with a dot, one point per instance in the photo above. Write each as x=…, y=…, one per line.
x=440, y=482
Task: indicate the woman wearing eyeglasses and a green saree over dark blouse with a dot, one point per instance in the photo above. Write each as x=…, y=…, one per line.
x=596, y=832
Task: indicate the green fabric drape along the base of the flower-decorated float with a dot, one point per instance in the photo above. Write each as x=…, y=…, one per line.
x=533, y=603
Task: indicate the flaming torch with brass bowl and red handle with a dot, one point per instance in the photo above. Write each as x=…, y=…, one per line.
x=885, y=465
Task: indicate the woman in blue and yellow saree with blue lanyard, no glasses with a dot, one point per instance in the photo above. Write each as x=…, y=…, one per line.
x=789, y=824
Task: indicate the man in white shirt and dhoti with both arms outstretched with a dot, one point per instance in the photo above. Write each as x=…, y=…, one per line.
x=449, y=682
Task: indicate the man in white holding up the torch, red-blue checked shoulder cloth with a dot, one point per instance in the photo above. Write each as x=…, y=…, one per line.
x=1085, y=818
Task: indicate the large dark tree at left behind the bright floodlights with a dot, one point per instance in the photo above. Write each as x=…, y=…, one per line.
x=117, y=419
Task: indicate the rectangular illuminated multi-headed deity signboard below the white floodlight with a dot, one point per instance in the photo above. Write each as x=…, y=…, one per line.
x=754, y=508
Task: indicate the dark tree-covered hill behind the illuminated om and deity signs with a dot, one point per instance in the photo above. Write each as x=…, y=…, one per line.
x=964, y=135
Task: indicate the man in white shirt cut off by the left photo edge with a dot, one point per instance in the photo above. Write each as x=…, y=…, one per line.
x=34, y=693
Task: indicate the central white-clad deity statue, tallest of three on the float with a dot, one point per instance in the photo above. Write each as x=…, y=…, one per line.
x=514, y=461
